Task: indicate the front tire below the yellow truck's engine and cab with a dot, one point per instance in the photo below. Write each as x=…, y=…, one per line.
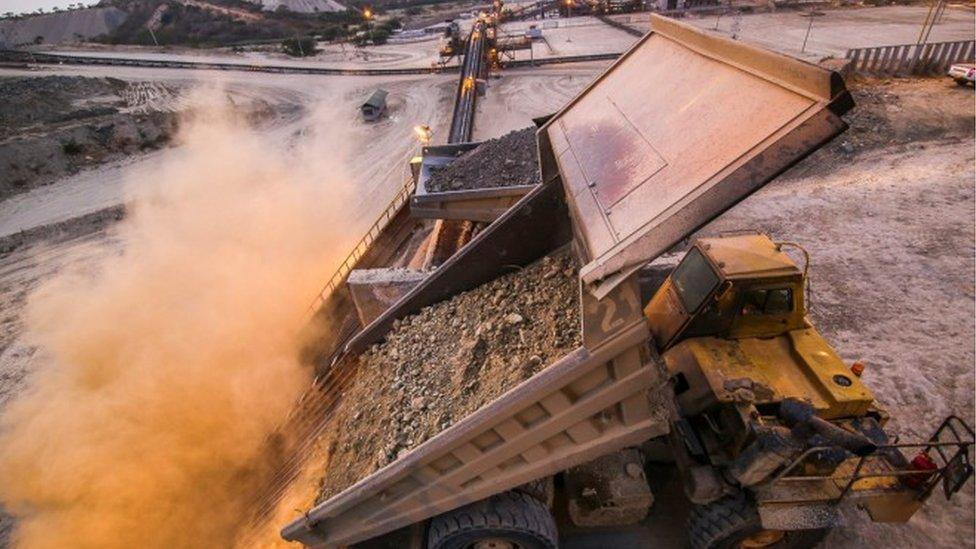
x=734, y=522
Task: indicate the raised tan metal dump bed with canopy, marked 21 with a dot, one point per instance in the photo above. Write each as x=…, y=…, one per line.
x=652, y=150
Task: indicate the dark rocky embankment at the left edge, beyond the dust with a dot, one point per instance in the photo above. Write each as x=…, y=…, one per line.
x=51, y=126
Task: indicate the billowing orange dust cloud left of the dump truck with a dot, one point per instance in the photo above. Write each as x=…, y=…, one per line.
x=168, y=365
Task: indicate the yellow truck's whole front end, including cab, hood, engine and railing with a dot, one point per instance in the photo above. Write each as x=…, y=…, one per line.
x=772, y=428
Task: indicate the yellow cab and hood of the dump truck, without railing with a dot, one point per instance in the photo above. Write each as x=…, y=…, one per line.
x=733, y=316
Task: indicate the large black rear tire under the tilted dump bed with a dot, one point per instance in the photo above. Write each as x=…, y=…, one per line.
x=514, y=519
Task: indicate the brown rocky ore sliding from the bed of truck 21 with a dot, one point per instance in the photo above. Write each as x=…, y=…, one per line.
x=442, y=364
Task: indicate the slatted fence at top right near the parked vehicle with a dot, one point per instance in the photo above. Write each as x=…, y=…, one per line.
x=930, y=58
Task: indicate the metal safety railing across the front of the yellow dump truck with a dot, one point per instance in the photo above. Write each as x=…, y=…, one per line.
x=949, y=462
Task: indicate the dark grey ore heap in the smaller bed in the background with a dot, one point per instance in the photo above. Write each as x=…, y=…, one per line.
x=505, y=161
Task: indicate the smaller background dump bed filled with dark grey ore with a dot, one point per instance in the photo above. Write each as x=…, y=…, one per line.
x=475, y=181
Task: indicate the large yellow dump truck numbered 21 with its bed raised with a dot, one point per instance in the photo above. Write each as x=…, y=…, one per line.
x=771, y=432
